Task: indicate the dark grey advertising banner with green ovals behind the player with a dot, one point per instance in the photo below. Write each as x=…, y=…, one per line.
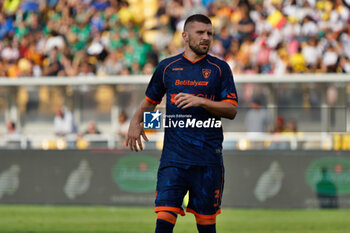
x=253, y=179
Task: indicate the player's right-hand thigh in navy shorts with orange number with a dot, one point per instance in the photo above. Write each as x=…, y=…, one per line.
x=206, y=189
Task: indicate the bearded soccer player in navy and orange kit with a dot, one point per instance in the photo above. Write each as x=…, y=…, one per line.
x=198, y=87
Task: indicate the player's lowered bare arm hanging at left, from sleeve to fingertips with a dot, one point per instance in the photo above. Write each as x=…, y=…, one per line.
x=136, y=129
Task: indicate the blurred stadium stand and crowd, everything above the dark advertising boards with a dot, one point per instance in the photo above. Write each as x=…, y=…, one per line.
x=290, y=60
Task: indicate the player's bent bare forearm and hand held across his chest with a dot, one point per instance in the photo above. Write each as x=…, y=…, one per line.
x=217, y=108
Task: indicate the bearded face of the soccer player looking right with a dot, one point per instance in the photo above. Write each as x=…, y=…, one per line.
x=199, y=37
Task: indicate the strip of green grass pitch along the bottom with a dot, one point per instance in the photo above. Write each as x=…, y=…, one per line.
x=91, y=219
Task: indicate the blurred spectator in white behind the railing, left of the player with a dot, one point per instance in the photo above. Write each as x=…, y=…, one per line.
x=64, y=123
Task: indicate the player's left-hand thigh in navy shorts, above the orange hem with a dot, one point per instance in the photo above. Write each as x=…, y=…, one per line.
x=171, y=186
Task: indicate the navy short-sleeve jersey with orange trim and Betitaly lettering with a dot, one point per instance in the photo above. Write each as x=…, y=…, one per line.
x=209, y=78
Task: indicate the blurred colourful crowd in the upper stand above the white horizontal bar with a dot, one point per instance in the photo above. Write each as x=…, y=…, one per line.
x=118, y=37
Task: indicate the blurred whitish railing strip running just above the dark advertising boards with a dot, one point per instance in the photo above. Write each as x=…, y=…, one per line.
x=233, y=141
